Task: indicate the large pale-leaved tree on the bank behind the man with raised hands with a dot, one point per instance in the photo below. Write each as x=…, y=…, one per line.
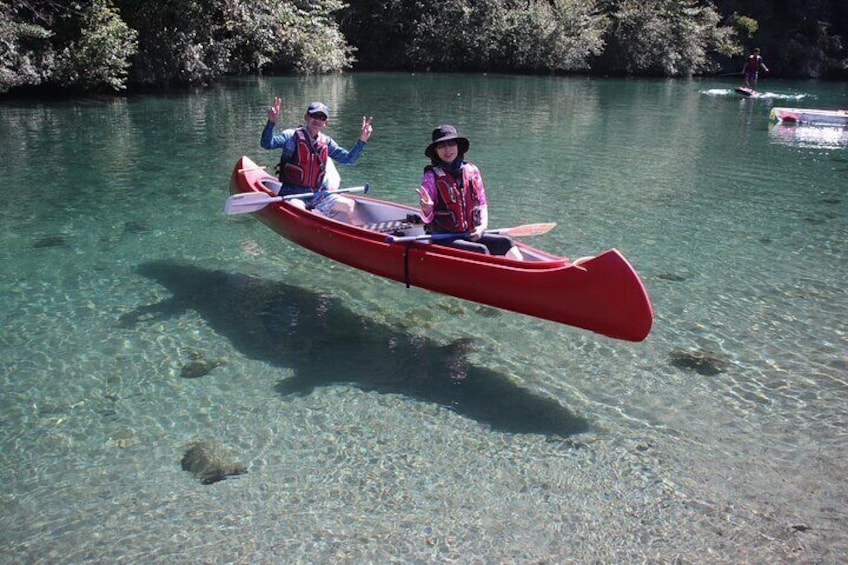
x=197, y=41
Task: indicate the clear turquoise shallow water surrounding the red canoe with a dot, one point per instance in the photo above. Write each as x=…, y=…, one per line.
x=457, y=432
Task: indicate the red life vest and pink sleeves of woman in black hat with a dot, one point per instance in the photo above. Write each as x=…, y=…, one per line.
x=458, y=208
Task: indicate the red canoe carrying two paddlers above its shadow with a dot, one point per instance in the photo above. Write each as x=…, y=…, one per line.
x=602, y=294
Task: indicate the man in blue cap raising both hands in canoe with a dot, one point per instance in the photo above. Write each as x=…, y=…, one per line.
x=305, y=152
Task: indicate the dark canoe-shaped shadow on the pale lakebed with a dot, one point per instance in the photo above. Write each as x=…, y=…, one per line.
x=325, y=343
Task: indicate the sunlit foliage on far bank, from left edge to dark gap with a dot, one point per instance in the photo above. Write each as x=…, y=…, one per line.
x=108, y=44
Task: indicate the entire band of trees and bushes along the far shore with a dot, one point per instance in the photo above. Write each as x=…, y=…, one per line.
x=50, y=49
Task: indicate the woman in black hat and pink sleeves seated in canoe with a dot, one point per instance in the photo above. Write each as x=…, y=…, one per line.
x=453, y=198
